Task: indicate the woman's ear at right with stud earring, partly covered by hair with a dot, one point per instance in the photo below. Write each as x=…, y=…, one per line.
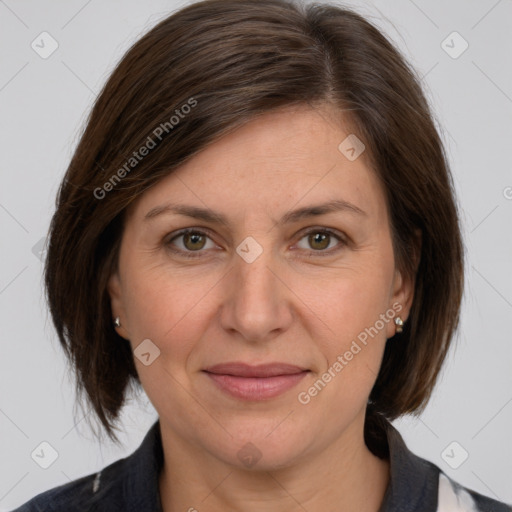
x=403, y=287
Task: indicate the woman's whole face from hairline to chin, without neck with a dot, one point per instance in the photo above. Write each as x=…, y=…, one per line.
x=267, y=285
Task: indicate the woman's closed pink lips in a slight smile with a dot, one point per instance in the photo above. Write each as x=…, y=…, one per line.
x=255, y=382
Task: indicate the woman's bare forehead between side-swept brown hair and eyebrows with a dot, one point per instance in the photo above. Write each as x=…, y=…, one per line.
x=286, y=158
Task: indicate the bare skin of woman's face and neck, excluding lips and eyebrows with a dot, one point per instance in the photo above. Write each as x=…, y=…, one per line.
x=290, y=305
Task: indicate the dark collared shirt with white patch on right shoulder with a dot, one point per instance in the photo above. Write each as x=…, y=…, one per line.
x=131, y=484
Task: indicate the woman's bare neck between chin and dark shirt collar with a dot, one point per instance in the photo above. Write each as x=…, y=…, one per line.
x=344, y=476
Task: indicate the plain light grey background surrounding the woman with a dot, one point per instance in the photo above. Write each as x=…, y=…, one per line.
x=44, y=103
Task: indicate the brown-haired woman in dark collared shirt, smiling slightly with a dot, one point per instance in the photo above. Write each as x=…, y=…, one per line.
x=259, y=228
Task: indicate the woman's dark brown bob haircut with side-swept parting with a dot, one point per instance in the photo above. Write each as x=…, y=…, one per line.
x=203, y=72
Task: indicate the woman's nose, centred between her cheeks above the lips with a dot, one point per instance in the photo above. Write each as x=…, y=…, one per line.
x=257, y=302
